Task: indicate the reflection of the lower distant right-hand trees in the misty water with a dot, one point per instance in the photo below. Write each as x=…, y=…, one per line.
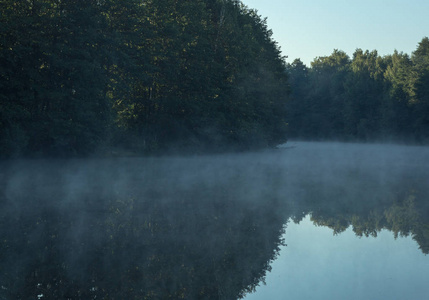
x=399, y=204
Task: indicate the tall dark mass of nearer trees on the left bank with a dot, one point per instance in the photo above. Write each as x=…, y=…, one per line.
x=149, y=76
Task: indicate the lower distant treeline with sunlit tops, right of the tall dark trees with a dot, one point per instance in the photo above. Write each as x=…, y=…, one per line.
x=367, y=97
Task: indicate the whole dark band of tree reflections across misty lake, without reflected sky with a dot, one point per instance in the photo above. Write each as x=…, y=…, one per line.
x=186, y=228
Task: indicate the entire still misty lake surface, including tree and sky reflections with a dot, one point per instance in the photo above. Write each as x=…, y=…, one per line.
x=312, y=220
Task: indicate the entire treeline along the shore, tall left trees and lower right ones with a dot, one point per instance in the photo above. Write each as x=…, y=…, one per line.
x=109, y=77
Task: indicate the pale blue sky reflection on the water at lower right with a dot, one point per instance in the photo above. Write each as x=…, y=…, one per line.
x=318, y=265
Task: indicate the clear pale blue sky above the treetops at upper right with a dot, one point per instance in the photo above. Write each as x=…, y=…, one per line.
x=307, y=29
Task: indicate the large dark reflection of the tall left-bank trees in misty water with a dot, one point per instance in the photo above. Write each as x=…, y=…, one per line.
x=76, y=235
